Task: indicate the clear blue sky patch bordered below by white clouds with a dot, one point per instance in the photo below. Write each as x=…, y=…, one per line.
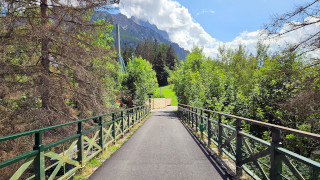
x=226, y=19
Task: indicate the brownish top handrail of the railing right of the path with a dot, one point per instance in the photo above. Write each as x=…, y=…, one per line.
x=269, y=125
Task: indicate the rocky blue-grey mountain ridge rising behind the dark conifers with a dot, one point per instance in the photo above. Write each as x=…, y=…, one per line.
x=133, y=31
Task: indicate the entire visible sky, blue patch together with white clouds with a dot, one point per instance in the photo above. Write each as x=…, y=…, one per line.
x=213, y=23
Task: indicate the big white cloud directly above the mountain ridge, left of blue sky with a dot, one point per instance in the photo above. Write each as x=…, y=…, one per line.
x=172, y=17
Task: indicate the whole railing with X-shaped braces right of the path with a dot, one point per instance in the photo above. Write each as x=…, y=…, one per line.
x=261, y=159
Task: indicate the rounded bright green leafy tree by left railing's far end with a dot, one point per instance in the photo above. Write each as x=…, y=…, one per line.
x=140, y=79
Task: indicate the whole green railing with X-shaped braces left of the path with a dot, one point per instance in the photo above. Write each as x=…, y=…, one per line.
x=60, y=159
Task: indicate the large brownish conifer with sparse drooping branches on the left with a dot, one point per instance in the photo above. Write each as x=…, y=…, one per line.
x=52, y=46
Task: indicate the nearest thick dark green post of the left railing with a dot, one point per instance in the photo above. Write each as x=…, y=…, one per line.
x=39, y=160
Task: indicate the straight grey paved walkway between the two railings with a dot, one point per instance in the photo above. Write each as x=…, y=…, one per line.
x=161, y=149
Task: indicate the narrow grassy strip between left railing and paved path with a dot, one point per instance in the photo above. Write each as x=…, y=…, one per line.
x=93, y=164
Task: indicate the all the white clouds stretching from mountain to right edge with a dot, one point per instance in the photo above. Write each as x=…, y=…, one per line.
x=175, y=19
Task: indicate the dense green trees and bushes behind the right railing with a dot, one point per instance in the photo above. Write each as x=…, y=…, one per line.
x=279, y=88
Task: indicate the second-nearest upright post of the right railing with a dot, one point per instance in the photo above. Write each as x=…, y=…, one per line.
x=238, y=148
